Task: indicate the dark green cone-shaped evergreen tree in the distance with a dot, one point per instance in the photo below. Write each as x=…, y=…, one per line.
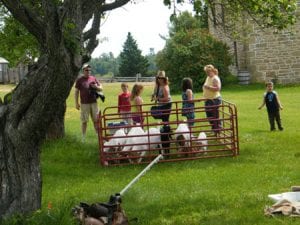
x=131, y=60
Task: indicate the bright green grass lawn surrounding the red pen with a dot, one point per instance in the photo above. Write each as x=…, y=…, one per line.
x=221, y=191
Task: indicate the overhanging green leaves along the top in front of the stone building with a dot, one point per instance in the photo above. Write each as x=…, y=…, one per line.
x=266, y=13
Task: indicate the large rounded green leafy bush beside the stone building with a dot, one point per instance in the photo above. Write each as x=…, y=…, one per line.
x=189, y=49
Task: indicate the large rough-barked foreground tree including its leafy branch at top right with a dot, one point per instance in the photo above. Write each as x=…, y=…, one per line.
x=58, y=26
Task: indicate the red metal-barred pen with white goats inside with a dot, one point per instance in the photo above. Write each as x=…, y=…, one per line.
x=121, y=142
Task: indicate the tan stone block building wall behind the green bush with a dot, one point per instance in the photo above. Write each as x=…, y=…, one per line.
x=263, y=54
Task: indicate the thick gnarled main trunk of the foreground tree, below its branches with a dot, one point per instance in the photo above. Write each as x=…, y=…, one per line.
x=37, y=101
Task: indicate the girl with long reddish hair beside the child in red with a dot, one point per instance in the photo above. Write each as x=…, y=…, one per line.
x=136, y=102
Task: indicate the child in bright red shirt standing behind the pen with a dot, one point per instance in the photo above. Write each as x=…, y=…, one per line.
x=124, y=103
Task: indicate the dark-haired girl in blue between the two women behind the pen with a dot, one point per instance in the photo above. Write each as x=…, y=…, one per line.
x=187, y=98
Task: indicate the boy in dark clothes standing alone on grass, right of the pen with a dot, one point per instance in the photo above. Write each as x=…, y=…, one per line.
x=272, y=102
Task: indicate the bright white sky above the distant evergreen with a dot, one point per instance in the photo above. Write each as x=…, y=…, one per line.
x=146, y=20
